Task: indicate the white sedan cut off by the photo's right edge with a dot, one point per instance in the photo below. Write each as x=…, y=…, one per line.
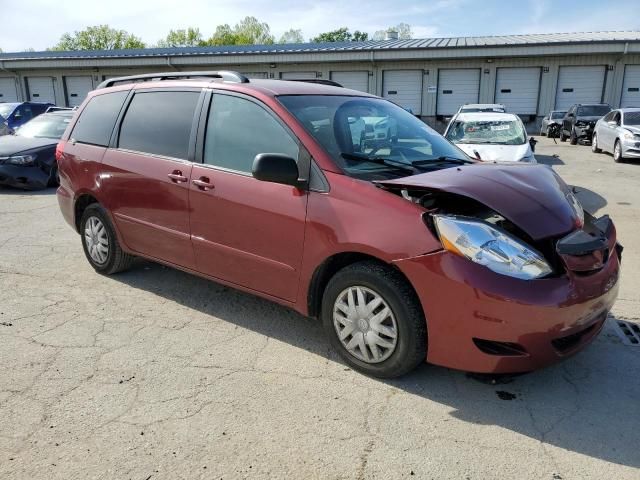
x=618, y=132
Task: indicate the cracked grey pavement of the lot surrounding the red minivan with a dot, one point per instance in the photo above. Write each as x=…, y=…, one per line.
x=155, y=374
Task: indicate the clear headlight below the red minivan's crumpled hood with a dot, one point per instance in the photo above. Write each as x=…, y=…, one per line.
x=488, y=246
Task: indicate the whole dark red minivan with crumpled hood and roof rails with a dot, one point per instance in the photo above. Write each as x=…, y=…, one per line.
x=344, y=207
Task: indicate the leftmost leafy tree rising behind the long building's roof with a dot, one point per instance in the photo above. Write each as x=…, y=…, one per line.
x=100, y=37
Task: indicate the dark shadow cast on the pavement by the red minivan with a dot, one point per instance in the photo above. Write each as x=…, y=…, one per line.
x=588, y=404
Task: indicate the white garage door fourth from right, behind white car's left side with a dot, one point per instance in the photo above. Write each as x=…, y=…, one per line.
x=457, y=87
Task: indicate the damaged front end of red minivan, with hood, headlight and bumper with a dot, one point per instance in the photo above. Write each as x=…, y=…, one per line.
x=525, y=276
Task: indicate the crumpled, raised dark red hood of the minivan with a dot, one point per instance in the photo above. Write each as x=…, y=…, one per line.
x=533, y=197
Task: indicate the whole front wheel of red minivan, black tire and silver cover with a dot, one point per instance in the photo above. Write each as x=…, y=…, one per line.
x=374, y=320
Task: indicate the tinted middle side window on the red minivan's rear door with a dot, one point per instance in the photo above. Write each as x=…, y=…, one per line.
x=159, y=123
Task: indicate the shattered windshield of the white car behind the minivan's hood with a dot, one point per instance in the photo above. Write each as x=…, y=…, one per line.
x=495, y=132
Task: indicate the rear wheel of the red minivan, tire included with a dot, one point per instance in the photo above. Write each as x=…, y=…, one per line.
x=100, y=243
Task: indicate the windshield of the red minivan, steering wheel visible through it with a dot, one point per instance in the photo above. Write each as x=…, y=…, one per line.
x=371, y=138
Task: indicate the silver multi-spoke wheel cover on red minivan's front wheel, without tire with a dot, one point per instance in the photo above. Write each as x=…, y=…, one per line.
x=365, y=324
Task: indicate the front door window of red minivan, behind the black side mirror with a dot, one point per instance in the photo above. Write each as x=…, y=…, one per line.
x=238, y=130
